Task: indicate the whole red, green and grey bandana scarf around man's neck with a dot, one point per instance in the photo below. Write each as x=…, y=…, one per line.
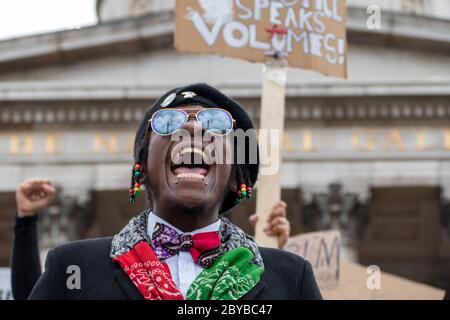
x=232, y=275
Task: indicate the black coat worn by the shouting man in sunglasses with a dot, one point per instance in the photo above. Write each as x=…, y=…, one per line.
x=286, y=276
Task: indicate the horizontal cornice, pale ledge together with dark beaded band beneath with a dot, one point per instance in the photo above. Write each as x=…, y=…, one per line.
x=27, y=103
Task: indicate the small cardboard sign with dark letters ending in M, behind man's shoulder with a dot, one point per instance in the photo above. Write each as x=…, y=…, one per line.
x=322, y=250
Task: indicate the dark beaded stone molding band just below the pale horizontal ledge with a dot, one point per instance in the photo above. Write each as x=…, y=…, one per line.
x=297, y=109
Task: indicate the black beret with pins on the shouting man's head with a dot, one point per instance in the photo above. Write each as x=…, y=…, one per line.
x=208, y=97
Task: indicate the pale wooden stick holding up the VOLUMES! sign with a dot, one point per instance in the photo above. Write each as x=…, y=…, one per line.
x=272, y=117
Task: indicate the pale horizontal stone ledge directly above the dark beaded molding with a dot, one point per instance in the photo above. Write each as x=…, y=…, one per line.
x=53, y=91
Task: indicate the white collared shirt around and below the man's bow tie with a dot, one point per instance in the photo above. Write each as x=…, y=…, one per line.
x=182, y=266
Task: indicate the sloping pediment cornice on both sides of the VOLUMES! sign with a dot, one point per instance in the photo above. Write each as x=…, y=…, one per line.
x=156, y=30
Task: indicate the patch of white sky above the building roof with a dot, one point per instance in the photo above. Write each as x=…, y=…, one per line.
x=26, y=17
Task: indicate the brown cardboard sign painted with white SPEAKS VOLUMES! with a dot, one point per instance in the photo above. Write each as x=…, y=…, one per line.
x=311, y=34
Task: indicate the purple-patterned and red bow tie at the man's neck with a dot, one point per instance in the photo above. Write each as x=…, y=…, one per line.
x=204, y=247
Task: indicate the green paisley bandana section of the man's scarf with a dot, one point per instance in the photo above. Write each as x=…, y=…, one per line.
x=229, y=278
